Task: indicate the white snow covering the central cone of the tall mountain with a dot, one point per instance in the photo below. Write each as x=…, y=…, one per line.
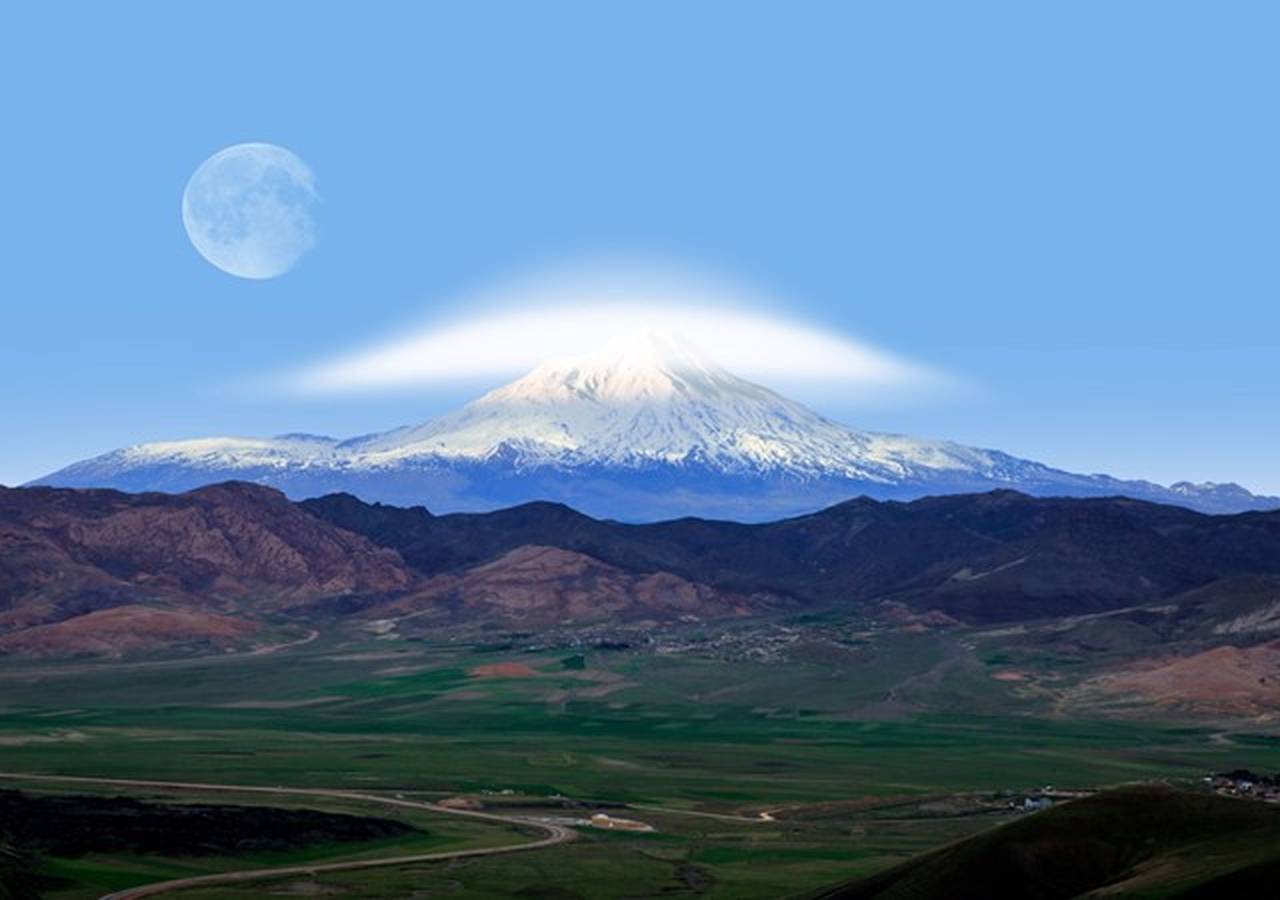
x=656, y=400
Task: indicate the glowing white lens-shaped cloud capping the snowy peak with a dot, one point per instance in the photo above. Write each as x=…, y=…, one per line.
x=524, y=325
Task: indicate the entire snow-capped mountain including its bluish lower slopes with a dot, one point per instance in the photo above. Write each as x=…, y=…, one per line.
x=641, y=428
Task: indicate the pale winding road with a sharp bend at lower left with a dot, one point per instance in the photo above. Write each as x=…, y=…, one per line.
x=555, y=834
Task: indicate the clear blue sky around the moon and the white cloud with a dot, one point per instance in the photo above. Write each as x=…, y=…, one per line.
x=1073, y=207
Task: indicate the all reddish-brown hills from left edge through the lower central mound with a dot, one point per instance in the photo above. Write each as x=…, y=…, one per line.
x=230, y=567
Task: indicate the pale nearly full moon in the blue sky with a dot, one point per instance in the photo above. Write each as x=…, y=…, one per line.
x=250, y=211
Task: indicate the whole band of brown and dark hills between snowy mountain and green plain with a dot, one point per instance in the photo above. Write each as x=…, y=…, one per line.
x=220, y=568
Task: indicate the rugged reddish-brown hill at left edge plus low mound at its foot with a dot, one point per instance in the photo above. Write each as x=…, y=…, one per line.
x=99, y=570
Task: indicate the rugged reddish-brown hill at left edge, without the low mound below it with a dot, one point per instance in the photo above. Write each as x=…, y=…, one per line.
x=216, y=545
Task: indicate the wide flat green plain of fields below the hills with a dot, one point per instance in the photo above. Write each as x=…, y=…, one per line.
x=853, y=782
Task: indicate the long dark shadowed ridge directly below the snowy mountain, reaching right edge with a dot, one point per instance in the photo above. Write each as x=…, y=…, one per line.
x=980, y=558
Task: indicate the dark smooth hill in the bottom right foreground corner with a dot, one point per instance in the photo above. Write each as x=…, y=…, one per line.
x=1126, y=843
